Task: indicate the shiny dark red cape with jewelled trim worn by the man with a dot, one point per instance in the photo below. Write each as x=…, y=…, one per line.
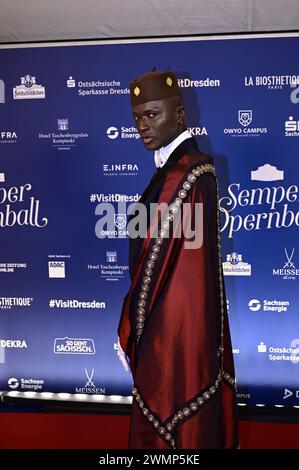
x=176, y=336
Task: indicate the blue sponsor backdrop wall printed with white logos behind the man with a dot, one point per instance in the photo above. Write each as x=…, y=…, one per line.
x=68, y=144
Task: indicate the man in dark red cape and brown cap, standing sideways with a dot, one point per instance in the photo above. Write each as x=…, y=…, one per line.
x=174, y=326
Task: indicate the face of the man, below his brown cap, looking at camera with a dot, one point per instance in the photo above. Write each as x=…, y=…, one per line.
x=157, y=121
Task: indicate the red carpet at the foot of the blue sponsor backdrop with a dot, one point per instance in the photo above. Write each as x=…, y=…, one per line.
x=93, y=431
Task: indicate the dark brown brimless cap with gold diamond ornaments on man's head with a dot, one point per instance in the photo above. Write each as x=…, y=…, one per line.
x=153, y=86
